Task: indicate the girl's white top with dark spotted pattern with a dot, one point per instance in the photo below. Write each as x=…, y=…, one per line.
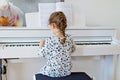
x=58, y=56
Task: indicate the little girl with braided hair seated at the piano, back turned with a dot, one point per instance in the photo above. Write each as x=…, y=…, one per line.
x=57, y=49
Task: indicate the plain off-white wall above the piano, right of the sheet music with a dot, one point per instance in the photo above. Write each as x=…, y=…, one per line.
x=98, y=12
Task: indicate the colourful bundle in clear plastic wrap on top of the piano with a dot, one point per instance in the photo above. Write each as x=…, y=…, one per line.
x=14, y=13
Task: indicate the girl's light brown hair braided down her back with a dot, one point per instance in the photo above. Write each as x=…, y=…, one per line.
x=60, y=20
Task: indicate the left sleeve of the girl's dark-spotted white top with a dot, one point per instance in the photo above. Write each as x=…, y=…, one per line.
x=42, y=52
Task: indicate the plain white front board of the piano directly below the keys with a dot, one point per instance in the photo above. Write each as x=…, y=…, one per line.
x=81, y=50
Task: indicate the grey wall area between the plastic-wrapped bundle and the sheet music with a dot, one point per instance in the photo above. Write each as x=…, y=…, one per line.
x=29, y=5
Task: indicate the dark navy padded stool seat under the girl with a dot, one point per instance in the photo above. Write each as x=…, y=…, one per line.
x=73, y=76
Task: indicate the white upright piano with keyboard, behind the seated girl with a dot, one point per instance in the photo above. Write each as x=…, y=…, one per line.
x=22, y=43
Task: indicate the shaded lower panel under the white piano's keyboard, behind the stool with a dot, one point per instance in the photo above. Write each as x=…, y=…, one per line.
x=99, y=67
